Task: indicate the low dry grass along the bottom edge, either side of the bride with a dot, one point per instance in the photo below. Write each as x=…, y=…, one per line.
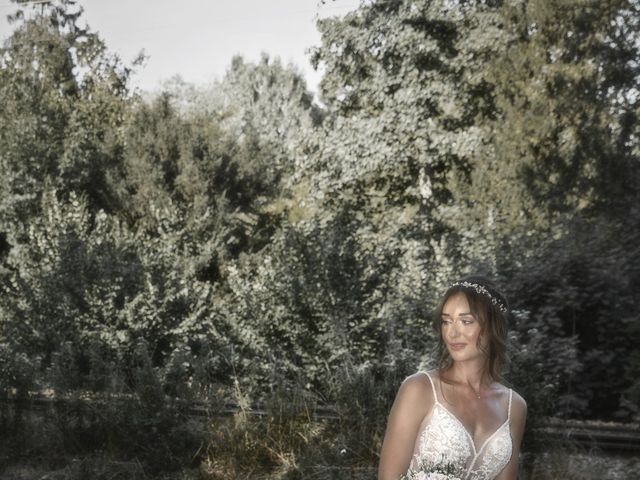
x=283, y=444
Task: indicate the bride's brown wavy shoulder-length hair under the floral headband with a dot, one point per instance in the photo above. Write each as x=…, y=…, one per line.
x=493, y=323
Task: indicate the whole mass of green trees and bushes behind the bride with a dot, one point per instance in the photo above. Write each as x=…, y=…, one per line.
x=242, y=243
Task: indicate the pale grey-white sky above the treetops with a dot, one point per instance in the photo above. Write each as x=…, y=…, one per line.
x=197, y=39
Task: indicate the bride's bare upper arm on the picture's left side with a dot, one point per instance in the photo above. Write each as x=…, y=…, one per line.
x=413, y=401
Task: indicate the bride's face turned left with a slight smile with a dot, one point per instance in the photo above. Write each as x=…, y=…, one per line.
x=461, y=330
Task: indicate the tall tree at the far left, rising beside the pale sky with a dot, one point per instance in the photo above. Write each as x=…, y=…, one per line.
x=64, y=99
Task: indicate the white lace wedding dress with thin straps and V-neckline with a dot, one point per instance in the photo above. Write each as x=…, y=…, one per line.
x=443, y=440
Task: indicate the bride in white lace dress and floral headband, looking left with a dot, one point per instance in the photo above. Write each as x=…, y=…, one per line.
x=459, y=420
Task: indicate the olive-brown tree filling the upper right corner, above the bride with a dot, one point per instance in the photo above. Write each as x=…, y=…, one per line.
x=561, y=140
